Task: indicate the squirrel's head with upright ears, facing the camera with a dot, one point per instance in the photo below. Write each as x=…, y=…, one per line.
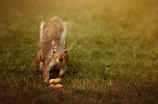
x=59, y=52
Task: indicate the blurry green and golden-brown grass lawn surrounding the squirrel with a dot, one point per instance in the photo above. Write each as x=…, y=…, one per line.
x=112, y=48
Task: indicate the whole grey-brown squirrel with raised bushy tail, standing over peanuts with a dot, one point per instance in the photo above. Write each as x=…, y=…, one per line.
x=52, y=55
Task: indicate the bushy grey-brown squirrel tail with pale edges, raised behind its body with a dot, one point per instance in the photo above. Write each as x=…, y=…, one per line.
x=54, y=30
